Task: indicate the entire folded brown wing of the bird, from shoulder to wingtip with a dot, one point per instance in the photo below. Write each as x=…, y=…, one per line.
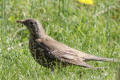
x=63, y=52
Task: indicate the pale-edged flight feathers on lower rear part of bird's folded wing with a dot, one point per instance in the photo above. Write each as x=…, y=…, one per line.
x=69, y=56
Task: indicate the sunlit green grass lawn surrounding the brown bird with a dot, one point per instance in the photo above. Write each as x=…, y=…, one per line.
x=67, y=21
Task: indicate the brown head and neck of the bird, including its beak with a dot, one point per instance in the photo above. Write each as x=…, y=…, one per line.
x=33, y=26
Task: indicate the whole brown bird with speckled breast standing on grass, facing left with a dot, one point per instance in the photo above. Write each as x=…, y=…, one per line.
x=51, y=53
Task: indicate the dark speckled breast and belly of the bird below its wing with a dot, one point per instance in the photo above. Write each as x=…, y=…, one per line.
x=43, y=55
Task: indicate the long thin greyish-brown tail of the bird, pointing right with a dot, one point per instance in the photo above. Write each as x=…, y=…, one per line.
x=101, y=59
